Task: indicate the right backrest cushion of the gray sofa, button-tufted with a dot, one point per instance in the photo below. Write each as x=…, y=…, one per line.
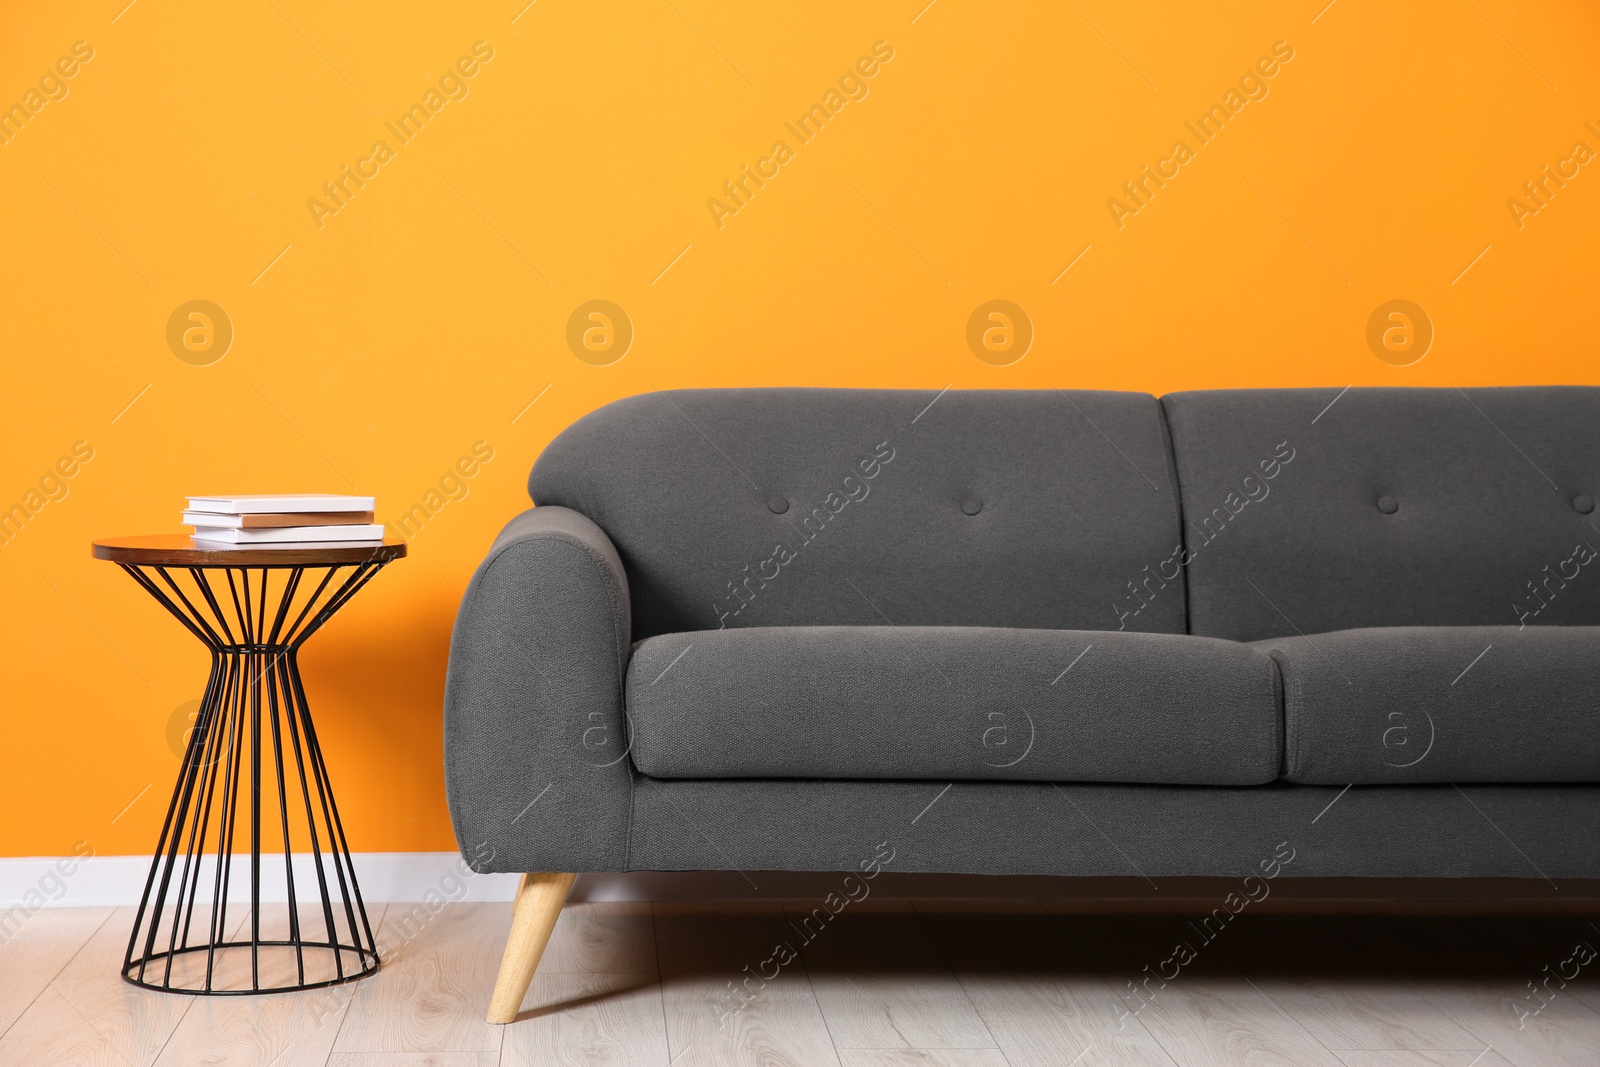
x=1484, y=527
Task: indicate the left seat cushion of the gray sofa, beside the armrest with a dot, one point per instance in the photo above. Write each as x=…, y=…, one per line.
x=954, y=703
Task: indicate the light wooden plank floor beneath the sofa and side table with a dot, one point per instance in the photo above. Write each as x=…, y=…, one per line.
x=884, y=985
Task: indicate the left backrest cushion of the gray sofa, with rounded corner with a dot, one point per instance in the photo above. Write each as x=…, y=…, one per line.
x=1073, y=497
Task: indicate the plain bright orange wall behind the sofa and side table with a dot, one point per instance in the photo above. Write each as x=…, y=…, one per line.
x=428, y=311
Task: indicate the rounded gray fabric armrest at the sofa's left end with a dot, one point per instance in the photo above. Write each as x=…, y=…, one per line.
x=537, y=762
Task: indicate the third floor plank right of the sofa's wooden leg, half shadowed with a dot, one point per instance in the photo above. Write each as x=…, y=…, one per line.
x=881, y=981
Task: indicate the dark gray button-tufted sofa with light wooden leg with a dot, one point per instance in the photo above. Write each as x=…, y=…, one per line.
x=1041, y=633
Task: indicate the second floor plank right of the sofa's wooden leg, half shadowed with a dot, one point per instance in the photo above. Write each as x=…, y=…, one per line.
x=729, y=999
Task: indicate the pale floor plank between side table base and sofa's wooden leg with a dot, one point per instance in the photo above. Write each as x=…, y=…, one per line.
x=434, y=986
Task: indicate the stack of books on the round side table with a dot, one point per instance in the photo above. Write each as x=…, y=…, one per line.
x=284, y=521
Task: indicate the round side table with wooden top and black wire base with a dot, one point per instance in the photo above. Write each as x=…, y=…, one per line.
x=254, y=609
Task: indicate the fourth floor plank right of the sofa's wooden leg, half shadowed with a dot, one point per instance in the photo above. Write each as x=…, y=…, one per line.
x=1044, y=1004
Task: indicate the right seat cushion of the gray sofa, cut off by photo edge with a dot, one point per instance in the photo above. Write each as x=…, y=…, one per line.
x=1442, y=705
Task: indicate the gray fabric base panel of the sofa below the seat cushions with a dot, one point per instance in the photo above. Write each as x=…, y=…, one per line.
x=1090, y=829
